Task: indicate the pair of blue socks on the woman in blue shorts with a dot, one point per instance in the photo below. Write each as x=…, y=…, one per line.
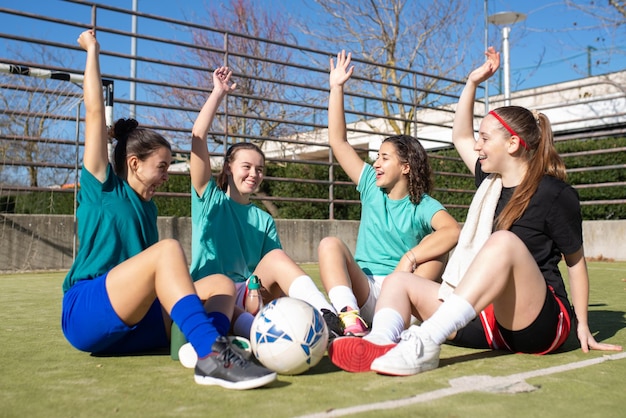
x=200, y=329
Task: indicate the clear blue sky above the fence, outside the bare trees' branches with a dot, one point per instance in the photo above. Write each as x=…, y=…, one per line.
x=555, y=43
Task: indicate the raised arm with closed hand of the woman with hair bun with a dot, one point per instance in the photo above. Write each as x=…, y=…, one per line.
x=95, y=156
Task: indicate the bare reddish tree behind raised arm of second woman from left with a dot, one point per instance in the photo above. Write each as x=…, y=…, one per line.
x=248, y=39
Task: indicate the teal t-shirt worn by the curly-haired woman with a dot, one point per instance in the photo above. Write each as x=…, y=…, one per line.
x=389, y=228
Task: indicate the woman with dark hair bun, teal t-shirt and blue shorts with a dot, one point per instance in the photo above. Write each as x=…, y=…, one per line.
x=125, y=285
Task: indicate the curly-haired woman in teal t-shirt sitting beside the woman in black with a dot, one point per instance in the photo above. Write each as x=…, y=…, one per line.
x=402, y=228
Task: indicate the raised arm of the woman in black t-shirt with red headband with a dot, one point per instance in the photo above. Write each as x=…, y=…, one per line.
x=463, y=127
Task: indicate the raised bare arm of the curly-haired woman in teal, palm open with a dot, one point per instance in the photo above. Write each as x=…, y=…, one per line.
x=346, y=156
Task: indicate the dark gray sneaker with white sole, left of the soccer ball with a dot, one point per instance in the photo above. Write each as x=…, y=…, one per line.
x=227, y=368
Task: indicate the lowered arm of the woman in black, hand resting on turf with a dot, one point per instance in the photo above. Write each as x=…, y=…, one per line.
x=579, y=288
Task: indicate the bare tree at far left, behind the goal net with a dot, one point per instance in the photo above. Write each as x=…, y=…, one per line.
x=33, y=127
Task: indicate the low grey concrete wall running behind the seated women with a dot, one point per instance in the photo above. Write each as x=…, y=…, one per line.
x=45, y=242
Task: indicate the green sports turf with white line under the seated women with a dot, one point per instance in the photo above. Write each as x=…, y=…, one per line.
x=41, y=375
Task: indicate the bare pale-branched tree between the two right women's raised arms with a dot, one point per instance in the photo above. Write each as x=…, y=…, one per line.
x=425, y=38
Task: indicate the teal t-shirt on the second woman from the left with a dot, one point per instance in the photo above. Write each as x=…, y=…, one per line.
x=228, y=237
